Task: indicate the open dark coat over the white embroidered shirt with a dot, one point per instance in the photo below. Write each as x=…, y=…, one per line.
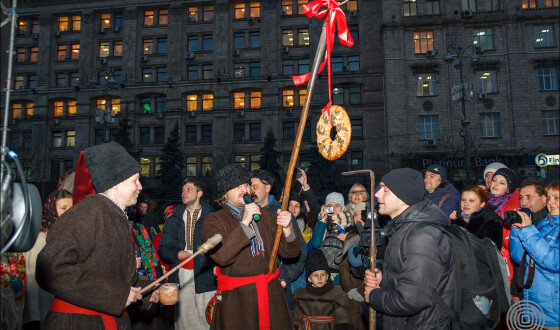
x=173, y=240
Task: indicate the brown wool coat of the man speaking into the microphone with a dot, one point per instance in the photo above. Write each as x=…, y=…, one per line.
x=238, y=308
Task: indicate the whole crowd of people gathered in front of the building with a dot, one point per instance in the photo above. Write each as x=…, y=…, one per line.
x=100, y=245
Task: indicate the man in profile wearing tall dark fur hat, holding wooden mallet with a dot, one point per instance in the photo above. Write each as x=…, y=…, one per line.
x=88, y=262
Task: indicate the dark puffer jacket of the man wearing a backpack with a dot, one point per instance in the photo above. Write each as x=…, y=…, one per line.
x=406, y=291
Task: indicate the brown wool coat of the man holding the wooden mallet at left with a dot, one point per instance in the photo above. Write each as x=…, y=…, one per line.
x=88, y=261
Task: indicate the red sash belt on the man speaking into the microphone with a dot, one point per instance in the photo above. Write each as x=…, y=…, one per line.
x=227, y=283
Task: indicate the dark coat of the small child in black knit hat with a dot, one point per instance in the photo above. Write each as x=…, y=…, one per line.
x=329, y=300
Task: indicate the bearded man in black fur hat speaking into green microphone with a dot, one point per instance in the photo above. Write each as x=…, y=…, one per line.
x=252, y=298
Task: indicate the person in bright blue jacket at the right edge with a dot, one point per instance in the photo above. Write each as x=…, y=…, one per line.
x=536, y=249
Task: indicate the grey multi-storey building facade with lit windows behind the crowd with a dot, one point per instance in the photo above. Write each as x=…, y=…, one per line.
x=222, y=71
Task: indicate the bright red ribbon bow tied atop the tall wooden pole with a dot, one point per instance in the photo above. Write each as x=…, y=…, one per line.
x=335, y=20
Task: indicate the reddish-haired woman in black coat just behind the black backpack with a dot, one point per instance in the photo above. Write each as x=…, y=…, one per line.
x=477, y=216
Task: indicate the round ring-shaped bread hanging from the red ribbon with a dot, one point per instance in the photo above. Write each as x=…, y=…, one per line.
x=333, y=149
